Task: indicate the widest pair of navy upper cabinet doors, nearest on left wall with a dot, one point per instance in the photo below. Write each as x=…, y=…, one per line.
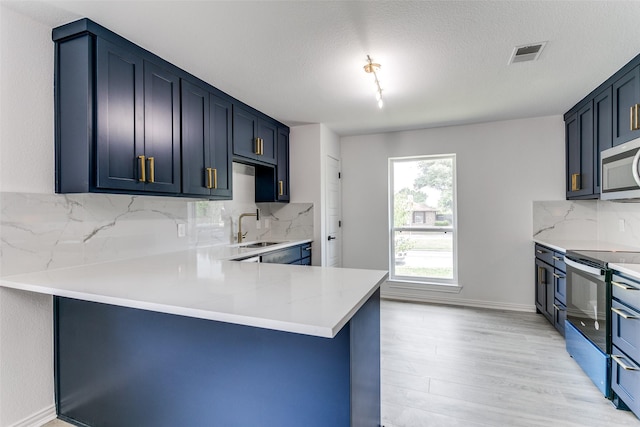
x=138, y=123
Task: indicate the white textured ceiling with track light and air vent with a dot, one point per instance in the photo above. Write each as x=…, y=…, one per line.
x=443, y=62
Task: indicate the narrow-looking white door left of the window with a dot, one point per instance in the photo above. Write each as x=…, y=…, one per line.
x=333, y=243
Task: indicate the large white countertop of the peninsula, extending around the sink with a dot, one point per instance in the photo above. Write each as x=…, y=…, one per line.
x=196, y=283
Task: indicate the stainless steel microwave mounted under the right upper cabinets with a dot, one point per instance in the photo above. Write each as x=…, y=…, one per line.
x=620, y=174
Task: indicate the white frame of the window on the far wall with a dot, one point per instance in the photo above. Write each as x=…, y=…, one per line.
x=453, y=229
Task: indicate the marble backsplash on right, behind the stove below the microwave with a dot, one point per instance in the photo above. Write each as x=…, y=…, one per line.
x=604, y=221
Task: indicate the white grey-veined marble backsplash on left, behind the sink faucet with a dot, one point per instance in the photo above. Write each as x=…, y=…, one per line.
x=45, y=231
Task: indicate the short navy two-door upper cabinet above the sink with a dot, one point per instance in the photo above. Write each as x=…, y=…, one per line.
x=254, y=136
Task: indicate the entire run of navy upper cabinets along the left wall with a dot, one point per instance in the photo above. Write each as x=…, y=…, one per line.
x=127, y=121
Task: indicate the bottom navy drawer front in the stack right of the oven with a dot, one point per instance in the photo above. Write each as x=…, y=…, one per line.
x=625, y=379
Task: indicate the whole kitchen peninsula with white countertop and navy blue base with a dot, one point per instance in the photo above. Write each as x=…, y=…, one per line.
x=185, y=338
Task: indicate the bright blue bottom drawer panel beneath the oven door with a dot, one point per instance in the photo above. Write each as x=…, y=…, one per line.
x=591, y=359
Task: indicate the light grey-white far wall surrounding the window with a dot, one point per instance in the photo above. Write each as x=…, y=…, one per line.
x=502, y=168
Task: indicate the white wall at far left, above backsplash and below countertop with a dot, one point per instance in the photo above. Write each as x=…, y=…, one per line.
x=26, y=164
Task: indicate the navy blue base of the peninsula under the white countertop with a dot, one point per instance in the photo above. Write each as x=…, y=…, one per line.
x=124, y=367
